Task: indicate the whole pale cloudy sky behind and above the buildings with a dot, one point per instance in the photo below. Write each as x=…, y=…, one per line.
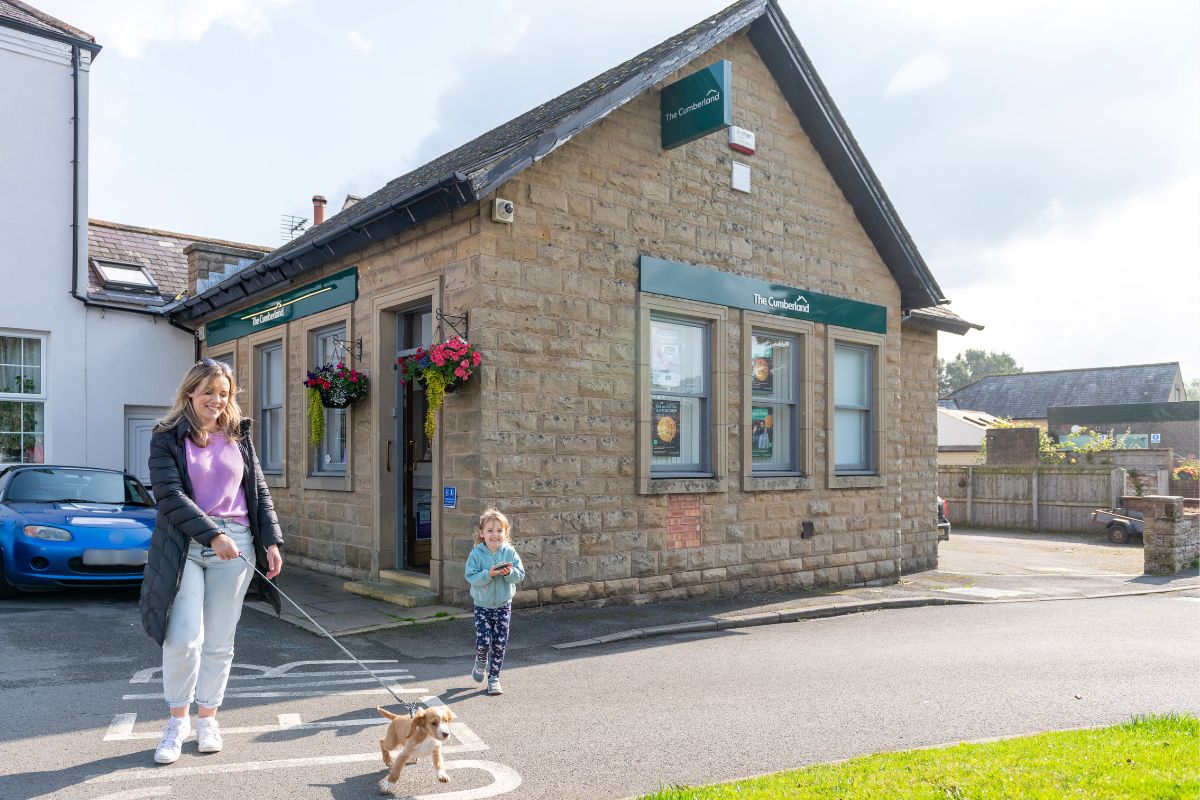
x=1045, y=157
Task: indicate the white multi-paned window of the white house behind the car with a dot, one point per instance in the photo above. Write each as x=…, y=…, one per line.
x=22, y=400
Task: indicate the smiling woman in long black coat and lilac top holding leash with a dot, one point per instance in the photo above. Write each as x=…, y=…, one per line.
x=213, y=507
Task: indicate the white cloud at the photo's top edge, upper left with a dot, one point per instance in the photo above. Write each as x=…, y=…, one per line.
x=130, y=27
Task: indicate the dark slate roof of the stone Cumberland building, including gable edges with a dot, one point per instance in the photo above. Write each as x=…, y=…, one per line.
x=477, y=169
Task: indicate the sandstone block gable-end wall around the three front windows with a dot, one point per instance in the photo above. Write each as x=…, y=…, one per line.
x=560, y=399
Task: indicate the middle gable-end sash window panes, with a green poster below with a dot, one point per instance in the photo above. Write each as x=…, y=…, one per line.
x=776, y=412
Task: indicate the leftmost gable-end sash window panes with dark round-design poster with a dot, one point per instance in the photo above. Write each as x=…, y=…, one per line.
x=680, y=396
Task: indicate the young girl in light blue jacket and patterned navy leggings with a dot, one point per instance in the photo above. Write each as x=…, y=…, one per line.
x=494, y=572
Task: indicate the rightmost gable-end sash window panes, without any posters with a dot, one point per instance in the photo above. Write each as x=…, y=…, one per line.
x=855, y=410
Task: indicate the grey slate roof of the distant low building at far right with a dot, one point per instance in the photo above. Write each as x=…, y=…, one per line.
x=1030, y=395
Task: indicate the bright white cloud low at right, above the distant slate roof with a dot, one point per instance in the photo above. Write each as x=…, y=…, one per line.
x=1118, y=288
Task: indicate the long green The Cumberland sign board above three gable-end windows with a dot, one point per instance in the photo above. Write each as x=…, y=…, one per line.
x=689, y=282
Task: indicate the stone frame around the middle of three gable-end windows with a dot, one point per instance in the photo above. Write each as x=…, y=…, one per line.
x=802, y=333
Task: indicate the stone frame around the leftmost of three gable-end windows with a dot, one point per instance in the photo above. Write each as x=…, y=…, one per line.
x=713, y=474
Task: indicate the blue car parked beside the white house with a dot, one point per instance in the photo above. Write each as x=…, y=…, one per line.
x=73, y=527
